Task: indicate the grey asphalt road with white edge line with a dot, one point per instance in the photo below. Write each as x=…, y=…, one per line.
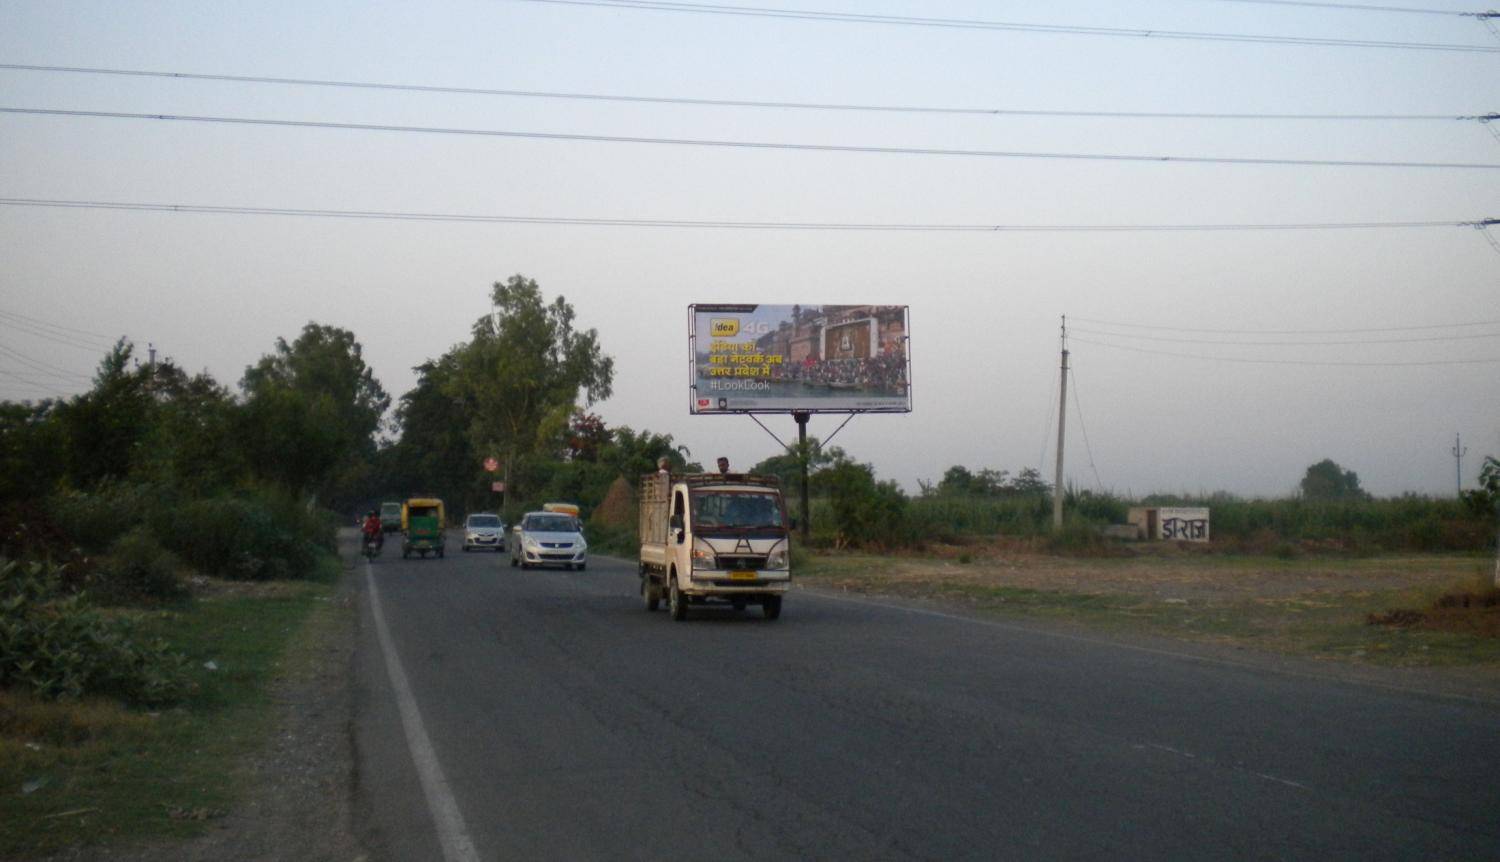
x=557, y=719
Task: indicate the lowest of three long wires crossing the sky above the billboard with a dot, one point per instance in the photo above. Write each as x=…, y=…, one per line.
x=710, y=224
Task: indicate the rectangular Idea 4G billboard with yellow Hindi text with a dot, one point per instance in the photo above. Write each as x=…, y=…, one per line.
x=799, y=359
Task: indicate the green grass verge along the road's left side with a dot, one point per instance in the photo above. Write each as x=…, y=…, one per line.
x=101, y=774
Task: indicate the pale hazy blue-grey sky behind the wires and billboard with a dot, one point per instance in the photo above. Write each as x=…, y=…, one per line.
x=1160, y=398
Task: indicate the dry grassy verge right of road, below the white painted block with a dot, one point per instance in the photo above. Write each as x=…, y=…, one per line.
x=1319, y=608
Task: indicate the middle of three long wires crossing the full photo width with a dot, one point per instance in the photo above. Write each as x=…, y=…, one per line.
x=748, y=145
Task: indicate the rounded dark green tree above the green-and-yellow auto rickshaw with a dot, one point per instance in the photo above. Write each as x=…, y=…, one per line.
x=313, y=409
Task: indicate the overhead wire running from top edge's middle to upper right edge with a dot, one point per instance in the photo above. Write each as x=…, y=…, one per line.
x=1016, y=28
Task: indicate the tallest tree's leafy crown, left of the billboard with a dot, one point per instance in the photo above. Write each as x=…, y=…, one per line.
x=524, y=371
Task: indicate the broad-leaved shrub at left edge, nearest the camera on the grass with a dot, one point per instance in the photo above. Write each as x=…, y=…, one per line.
x=61, y=648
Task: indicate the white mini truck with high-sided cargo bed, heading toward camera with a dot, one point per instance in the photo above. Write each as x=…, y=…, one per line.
x=713, y=537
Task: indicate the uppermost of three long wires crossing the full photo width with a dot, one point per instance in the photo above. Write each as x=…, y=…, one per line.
x=751, y=103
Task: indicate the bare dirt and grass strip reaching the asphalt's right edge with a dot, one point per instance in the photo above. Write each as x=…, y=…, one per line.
x=1309, y=615
